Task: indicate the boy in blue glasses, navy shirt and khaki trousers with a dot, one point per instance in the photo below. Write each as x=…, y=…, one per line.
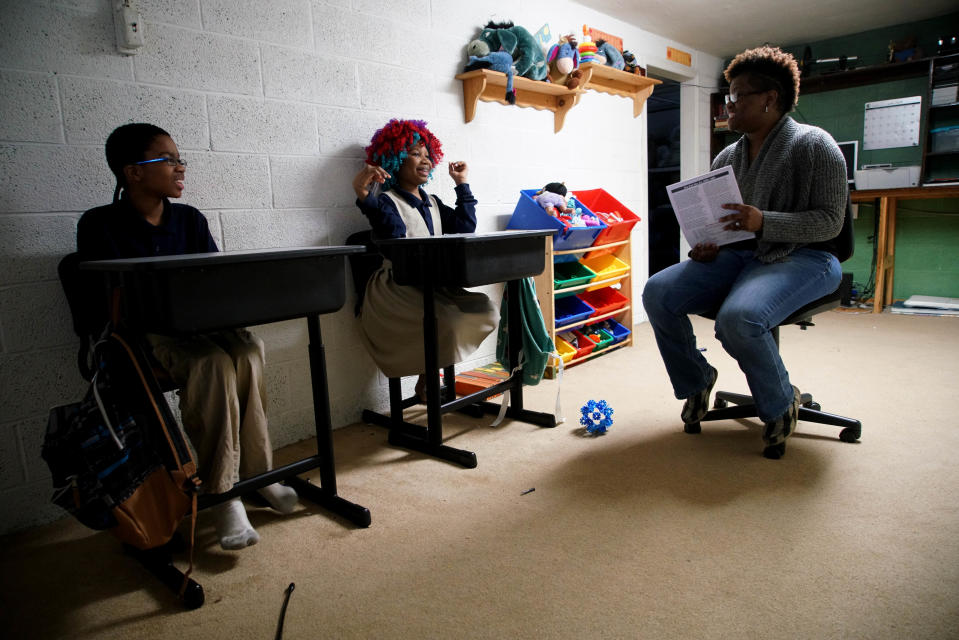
x=220, y=375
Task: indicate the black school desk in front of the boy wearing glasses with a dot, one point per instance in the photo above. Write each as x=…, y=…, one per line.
x=199, y=293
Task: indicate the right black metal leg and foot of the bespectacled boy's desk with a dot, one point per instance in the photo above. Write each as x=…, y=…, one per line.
x=325, y=494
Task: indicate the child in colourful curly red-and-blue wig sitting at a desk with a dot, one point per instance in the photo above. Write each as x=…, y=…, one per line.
x=400, y=159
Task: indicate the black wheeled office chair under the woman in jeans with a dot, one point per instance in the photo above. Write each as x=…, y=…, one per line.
x=809, y=410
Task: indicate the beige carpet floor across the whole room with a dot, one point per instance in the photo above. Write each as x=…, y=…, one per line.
x=645, y=532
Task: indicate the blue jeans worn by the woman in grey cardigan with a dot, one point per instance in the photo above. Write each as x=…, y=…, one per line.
x=750, y=298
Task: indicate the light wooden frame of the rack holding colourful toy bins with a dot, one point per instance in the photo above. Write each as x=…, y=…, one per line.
x=545, y=294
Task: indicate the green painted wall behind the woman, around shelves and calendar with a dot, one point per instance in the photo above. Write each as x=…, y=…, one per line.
x=927, y=231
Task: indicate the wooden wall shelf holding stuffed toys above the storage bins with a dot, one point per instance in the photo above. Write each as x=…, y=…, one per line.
x=490, y=86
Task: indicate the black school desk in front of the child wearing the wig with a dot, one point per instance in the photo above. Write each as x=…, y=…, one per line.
x=462, y=260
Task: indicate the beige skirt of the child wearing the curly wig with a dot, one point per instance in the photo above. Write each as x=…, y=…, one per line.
x=391, y=323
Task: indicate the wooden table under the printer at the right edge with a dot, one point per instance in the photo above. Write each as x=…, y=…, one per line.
x=886, y=238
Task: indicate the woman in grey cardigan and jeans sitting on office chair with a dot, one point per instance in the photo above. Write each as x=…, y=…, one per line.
x=793, y=182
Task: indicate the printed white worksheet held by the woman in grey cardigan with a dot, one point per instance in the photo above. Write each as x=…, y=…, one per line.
x=698, y=202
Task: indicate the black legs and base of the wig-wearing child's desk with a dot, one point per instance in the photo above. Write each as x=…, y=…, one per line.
x=429, y=439
